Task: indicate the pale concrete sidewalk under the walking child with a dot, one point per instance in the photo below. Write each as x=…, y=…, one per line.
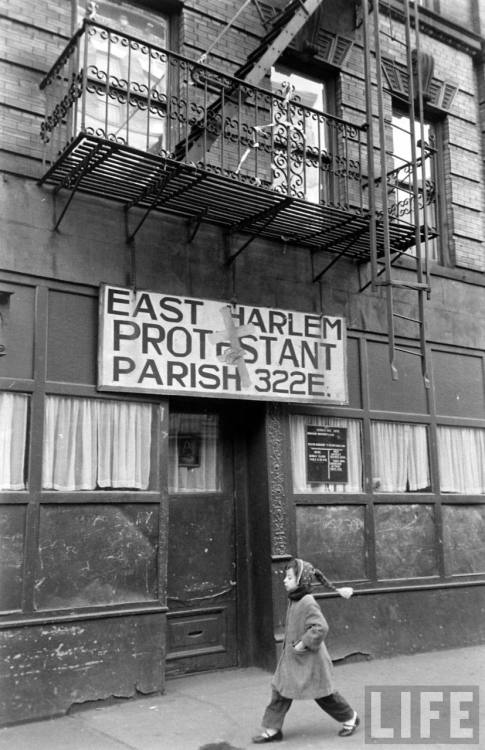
x=222, y=710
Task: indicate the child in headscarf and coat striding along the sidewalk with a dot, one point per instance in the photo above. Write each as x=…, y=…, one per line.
x=305, y=669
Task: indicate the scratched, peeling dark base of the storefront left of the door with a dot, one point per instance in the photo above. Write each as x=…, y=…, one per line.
x=45, y=669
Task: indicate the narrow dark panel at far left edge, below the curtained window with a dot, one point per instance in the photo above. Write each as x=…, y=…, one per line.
x=12, y=531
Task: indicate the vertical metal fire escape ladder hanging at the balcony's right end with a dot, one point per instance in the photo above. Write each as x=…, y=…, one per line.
x=385, y=254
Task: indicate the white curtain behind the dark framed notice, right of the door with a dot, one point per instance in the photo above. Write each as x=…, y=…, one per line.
x=298, y=424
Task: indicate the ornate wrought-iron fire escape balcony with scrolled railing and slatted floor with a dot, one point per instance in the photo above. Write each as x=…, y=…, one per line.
x=147, y=127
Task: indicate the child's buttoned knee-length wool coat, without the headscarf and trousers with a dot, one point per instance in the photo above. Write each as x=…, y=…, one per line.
x=309, y=673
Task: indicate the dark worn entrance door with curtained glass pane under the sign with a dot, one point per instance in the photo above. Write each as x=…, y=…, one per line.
x=201, y=575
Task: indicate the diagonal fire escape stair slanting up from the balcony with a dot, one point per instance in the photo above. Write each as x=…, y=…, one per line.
x=284, y=28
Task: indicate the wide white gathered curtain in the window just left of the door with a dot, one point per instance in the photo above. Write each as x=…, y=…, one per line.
x=90, y=444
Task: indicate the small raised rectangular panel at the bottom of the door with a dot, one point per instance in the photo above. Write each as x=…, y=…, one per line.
x=196, y=633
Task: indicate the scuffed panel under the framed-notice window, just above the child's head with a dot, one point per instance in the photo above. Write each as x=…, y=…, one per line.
x=332, y=538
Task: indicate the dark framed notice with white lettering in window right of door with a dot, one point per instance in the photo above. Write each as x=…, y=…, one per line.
x=326, y=454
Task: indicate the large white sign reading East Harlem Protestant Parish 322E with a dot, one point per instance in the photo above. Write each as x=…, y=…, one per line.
x=166, y=344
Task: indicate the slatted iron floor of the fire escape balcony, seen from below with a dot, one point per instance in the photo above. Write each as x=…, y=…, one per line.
x=109, y=170
